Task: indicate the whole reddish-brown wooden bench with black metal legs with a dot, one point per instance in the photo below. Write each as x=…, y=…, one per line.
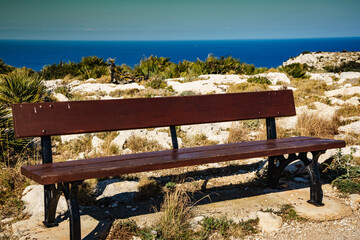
x=49, y=119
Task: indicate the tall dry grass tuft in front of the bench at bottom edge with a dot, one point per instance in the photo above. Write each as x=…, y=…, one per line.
x=176, y=209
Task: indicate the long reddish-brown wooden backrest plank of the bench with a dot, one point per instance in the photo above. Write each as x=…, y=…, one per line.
x=60, y=118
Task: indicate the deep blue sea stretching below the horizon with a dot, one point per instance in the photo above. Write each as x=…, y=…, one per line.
x=261, y=53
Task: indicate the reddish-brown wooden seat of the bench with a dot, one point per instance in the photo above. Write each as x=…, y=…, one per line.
x=116, y=165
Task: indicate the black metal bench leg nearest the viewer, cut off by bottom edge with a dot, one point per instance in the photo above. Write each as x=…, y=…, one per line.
x=71, y=194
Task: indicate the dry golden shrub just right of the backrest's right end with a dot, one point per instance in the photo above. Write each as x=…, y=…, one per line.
x=314, y=126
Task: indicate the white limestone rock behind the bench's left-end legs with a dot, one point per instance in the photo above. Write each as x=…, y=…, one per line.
x=33, y=198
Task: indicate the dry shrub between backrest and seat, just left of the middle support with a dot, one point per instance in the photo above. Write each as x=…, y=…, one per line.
x=140, y=144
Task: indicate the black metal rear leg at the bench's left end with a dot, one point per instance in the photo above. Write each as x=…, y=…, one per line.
x=51, y=199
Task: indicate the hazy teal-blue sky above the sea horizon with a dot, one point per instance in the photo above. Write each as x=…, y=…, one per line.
x=178, y=20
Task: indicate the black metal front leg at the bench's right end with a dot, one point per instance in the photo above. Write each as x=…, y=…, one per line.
x=316, y=193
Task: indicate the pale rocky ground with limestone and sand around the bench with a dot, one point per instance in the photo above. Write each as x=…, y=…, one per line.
x=232, y=189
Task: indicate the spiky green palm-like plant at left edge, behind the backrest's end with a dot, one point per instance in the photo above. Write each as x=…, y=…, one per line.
x=19, y=87
